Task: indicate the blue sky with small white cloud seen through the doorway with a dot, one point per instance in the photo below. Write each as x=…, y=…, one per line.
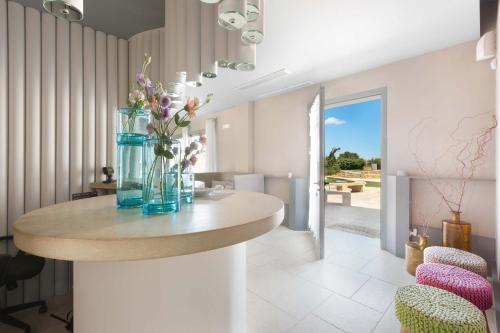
x=354, y=128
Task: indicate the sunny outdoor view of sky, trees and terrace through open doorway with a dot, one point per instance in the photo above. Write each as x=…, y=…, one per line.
x=353, y=166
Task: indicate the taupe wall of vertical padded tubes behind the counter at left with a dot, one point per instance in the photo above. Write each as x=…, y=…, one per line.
x=60, y=86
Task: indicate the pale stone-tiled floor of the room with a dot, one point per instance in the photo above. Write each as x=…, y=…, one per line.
x=289, y=291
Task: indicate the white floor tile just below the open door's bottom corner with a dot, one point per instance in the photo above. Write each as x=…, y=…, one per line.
x=338, y=279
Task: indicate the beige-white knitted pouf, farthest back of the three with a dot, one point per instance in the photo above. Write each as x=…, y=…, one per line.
x=456, y=257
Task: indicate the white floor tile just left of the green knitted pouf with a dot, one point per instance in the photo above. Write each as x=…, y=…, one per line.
x=376, y=294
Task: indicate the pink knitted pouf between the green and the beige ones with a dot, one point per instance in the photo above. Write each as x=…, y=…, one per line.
x=459, y=281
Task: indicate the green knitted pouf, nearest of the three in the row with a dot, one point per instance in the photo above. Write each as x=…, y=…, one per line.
x=424, y=309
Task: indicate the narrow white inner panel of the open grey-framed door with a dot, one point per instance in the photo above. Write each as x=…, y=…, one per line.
x=314, y=168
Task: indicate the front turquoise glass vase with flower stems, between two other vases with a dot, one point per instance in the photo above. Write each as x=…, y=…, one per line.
x=161, y=182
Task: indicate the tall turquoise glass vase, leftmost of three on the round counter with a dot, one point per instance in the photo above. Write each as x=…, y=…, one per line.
x=130, y=135
